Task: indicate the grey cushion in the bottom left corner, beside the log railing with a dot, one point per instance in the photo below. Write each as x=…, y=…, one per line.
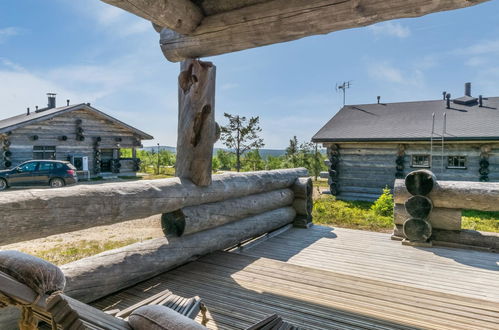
x=40, y=275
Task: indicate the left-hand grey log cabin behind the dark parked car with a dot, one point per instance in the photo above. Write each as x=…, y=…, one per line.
x=81, y=134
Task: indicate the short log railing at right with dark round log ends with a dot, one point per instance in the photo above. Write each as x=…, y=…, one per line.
x=427, y=207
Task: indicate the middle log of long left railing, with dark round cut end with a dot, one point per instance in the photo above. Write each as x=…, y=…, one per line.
x=193, y=219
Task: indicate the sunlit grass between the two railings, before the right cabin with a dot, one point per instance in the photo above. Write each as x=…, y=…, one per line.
x=355, y=215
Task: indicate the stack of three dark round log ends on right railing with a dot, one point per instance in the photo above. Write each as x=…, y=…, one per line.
x=416, y=227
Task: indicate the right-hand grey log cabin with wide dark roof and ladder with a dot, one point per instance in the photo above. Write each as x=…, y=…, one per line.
x=369, y=145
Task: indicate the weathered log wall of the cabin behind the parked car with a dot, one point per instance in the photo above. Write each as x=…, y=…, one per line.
x=50, y=131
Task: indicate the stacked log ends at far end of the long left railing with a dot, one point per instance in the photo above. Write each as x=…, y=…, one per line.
x=303, y=202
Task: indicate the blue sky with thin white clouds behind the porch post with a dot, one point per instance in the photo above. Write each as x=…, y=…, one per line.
x=88, y=51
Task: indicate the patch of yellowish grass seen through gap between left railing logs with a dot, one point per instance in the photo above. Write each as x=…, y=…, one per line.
x=64, y=254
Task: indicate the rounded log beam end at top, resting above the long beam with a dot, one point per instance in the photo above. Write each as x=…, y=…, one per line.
x=182, y=16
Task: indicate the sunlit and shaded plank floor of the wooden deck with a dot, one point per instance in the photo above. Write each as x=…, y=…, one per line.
x=324, y=278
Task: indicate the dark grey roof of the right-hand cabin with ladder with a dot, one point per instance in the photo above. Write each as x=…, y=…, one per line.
x=412, y=121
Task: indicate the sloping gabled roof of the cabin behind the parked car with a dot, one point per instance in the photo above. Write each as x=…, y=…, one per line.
x=15, y=122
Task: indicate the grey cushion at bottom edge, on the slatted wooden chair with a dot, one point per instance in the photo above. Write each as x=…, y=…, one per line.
x=155, y=317
